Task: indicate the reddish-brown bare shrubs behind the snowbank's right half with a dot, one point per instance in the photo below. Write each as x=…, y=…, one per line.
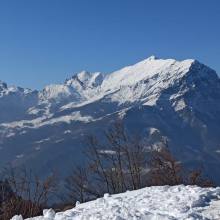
x=166, y=170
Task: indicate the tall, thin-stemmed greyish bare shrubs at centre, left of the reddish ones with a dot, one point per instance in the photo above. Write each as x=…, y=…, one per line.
x=113, y=167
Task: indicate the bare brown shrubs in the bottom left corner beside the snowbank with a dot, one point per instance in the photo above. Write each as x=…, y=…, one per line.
x=29, y=194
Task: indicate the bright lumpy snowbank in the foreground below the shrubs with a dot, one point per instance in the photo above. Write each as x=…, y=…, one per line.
x=158, y=203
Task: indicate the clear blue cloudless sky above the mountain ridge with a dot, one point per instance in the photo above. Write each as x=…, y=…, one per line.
x=45, y=41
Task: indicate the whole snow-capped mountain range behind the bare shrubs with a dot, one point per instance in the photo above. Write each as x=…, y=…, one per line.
x=155, y=97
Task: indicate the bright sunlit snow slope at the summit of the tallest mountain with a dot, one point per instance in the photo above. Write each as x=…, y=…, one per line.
x=150, y=68
